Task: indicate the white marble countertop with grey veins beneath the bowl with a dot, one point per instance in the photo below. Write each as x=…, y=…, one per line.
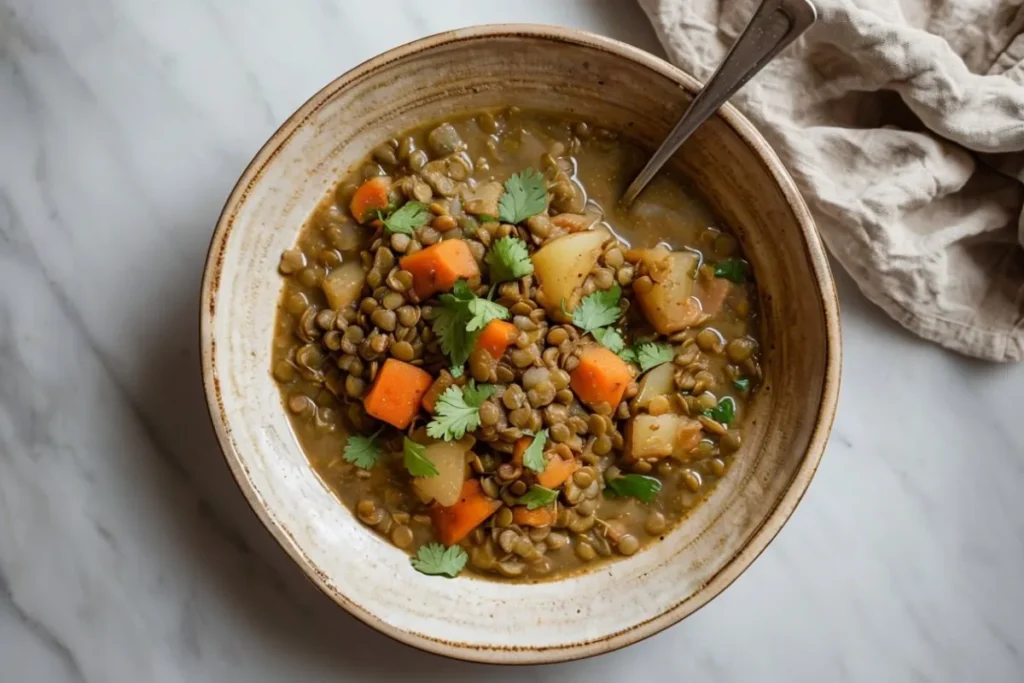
x=127, y=552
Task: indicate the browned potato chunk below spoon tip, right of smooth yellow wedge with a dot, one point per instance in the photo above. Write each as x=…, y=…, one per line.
x=669, y=306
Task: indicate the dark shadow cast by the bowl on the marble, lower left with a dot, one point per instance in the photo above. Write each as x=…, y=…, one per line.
x=259, y=584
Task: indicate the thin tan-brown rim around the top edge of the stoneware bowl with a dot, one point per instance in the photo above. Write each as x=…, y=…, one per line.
x=759, y=540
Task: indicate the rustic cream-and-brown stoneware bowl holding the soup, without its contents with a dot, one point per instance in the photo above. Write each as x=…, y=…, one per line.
x=624, y=89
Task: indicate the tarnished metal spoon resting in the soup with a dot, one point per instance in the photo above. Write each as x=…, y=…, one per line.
x=775, y=25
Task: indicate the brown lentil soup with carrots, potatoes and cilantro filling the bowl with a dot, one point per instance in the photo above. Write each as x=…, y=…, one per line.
x=498, y=368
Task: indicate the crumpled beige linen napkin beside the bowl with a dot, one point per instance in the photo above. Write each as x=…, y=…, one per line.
x=903, y=122
